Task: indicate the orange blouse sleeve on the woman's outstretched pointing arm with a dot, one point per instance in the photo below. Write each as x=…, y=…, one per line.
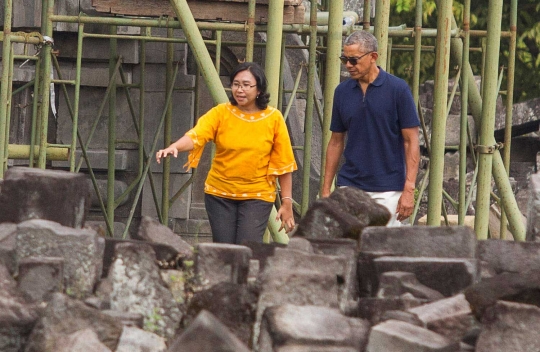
x=203, y=132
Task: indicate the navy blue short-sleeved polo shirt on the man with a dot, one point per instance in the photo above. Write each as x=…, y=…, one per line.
x=374, y=152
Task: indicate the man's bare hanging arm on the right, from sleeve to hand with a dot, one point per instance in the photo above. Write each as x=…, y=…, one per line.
x=412, y=158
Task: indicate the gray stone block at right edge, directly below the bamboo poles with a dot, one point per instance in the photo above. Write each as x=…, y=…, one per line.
x=509, y=256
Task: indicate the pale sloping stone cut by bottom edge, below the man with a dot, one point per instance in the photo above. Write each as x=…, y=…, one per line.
x=398, y=336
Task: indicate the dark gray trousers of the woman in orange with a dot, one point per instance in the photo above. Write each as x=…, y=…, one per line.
x=235, y=221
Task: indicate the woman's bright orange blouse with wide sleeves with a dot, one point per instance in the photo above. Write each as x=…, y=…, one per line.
x=252, y=149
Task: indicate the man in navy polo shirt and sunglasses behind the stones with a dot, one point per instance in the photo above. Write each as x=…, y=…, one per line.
x=375, y=126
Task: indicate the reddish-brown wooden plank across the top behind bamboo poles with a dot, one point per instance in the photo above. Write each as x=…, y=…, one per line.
x=201, y=10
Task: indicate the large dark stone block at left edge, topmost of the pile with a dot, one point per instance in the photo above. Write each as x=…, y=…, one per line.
x=30, y=193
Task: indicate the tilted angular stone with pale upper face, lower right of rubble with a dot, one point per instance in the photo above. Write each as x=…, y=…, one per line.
x=451, y=317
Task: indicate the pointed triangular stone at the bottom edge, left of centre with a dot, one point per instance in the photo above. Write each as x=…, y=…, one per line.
x=207, y=334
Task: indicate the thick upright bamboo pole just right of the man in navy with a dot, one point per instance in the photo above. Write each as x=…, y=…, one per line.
x=436, y=163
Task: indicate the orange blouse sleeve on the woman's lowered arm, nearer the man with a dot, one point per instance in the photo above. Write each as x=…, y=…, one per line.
x=281, y=158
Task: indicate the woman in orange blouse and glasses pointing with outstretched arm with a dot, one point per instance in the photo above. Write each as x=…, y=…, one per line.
x=253, y=149
